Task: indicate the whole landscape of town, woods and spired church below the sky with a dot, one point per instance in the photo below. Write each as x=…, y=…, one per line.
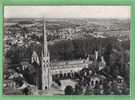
x=85, y=56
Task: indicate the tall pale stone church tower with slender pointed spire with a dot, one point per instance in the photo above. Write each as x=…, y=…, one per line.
x=46, y=68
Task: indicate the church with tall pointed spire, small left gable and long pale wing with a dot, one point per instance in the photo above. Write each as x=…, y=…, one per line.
x=47, y=69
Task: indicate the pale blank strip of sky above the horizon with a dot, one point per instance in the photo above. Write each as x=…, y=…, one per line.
x=120, y=12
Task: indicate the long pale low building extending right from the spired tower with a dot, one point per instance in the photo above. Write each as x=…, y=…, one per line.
x=69, y=66
